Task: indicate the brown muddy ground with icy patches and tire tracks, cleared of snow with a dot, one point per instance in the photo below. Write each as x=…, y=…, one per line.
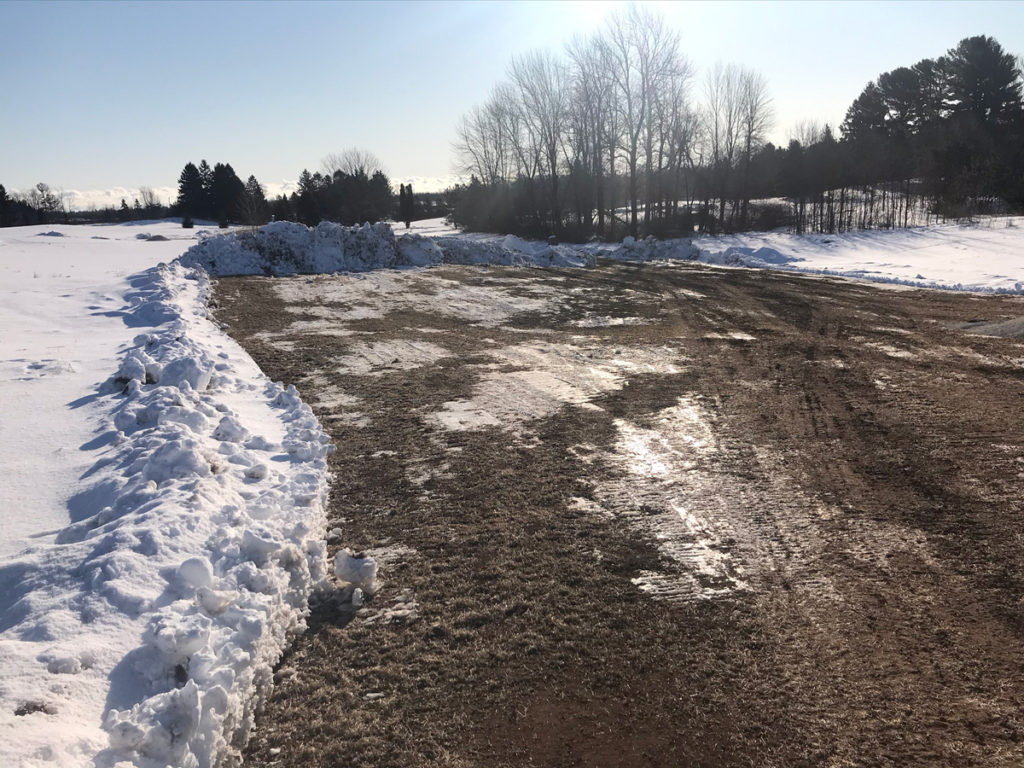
x=655, y=516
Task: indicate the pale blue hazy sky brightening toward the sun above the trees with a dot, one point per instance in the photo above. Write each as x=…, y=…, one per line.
x=117, y=96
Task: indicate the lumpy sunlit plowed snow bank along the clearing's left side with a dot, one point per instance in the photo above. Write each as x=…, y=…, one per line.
x=197, y=540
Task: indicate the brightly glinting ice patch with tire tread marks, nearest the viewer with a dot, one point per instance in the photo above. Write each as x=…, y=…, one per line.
x=667, y=490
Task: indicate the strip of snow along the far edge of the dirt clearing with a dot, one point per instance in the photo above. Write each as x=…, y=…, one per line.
x=984, y=257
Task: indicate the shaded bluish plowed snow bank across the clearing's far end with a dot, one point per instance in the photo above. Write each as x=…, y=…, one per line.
x=285, y=248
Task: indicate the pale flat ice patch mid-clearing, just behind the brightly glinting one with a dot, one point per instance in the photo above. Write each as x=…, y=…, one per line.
x=544, y=377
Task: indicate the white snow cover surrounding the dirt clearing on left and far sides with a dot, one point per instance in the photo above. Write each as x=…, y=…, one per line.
x=162, y=517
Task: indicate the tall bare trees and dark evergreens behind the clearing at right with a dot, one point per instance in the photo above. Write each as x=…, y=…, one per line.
x=617, y=137
